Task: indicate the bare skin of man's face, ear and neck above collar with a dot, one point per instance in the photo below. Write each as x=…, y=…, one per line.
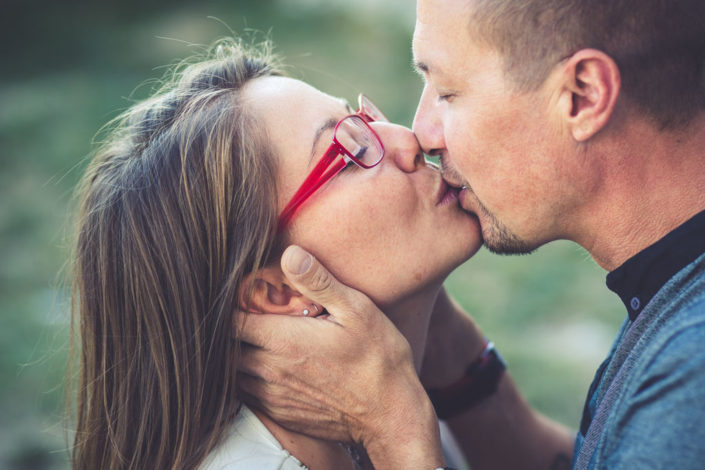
x=560, y=162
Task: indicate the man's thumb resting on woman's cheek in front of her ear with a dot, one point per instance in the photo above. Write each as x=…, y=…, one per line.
x=313, y=280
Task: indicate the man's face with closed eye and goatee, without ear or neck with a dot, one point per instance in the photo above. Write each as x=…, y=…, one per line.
x=505, y=146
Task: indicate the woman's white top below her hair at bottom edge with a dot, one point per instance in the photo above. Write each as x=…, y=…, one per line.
x=248, y=445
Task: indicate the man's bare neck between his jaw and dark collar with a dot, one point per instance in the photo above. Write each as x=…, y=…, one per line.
x=653, y=183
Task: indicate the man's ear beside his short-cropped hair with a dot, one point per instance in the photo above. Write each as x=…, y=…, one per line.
x=591, y=83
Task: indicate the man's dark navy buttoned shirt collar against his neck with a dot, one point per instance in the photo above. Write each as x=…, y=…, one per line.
x=641, y=276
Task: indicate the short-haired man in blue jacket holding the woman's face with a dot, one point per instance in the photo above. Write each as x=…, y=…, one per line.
x=574, y=119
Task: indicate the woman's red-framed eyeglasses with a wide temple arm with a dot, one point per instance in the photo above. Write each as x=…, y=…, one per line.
x=327, y=167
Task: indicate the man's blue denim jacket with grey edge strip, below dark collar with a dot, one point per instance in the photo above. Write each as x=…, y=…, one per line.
x=646, y=408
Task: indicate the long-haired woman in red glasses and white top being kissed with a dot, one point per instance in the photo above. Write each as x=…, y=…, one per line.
x=185, y=210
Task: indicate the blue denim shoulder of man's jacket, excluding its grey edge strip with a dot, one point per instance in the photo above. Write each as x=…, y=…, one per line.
x=657, y=419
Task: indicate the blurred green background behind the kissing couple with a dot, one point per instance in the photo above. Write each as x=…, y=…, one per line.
x=68, y=67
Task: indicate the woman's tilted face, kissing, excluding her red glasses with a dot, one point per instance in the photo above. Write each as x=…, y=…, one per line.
x=390, y=231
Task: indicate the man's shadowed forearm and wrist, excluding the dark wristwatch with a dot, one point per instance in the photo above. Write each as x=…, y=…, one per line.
x=502, y=431
